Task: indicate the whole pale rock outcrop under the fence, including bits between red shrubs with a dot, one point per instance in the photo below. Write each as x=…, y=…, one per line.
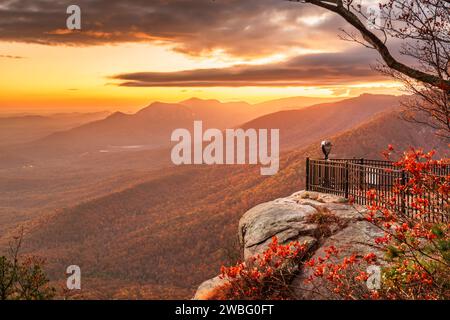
x=318, y=220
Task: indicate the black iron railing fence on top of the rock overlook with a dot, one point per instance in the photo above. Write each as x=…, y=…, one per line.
x=352, y=178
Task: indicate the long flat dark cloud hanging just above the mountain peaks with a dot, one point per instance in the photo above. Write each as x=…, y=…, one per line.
x=306, y=70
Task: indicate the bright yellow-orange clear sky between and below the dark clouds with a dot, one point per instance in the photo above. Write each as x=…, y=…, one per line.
x=70, y=77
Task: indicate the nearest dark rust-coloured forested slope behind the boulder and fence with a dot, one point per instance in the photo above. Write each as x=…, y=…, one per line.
x=176, y=227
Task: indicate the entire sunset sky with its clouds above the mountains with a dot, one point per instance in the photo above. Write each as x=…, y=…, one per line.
x=130, y=53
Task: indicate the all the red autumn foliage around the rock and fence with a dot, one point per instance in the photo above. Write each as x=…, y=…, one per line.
x=416, y=248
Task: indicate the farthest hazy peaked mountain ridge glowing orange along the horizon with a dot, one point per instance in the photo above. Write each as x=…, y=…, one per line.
x=147, y=129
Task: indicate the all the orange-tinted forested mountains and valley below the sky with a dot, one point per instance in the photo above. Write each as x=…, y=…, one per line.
x=140, y=227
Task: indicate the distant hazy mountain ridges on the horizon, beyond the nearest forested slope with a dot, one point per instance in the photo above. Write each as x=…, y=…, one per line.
x=151, y=127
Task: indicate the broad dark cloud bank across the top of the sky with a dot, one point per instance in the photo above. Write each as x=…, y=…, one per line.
x=195, y=27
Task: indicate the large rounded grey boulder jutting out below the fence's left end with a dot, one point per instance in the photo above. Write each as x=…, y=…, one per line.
x=293, y=219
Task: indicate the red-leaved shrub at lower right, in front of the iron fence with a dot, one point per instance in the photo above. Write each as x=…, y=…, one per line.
x=416, y=243
